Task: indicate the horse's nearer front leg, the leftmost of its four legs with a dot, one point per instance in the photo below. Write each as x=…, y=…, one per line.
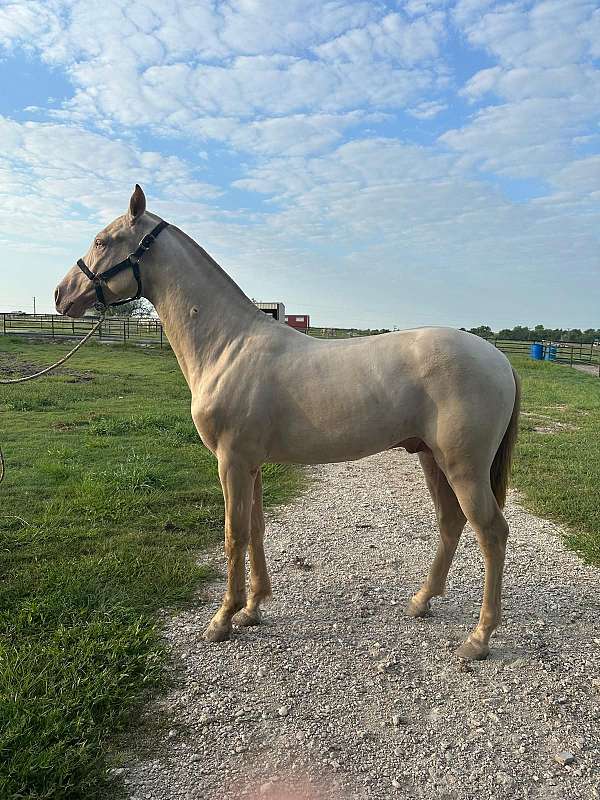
x=237, y=480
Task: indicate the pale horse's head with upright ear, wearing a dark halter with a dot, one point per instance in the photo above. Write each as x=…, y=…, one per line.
x=77, y=291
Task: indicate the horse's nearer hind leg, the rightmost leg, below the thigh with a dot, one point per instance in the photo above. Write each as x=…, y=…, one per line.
x=481, y=509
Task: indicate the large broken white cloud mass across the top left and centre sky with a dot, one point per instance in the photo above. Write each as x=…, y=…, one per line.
x=187, y=67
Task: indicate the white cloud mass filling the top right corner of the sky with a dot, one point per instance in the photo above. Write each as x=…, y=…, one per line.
x=548, y=86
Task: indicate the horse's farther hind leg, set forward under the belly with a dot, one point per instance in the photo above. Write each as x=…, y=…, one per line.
x=451, y=521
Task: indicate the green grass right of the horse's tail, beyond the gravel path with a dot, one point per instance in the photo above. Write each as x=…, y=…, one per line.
x=557, y=467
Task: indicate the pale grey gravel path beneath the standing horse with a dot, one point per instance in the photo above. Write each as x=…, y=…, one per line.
x=341, y=697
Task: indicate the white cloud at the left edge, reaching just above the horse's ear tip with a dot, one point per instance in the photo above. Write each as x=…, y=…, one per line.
x=49, y=171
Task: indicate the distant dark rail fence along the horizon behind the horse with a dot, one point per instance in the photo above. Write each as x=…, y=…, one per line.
x=144, y=330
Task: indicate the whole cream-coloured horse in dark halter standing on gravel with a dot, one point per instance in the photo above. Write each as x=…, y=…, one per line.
x=446, y=394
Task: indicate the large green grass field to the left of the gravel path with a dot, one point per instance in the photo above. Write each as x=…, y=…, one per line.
x=108, y=498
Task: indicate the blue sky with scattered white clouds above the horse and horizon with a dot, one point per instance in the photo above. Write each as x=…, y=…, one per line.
x=373, y=164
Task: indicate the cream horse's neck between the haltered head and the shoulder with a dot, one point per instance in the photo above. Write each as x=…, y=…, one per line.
x=205, y=314
